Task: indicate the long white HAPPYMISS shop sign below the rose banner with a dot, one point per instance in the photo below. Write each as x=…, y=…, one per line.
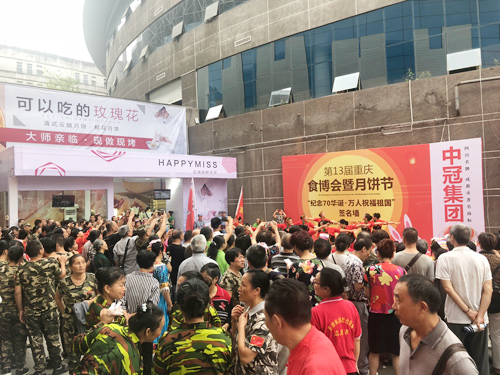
x=36, y=161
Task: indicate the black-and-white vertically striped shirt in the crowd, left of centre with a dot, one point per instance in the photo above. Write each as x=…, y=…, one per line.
x=141, y=287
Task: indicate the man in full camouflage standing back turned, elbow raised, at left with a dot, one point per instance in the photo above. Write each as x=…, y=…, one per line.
x=35, y=300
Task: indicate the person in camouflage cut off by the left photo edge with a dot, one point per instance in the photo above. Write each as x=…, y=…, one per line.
x=12, y=332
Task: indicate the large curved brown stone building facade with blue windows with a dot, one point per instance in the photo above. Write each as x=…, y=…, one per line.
x=165, y=51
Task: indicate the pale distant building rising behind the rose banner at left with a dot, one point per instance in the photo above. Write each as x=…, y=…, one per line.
x=34, y=68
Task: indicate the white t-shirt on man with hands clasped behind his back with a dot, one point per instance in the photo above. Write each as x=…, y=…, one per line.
x=467, y=271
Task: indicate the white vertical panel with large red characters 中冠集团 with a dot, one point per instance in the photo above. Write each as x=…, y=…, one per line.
x=457, y=185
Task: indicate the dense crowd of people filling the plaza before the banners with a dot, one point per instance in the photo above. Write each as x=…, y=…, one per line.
x=313, y=296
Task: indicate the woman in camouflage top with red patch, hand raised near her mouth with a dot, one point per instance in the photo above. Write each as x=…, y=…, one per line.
x=255, y=348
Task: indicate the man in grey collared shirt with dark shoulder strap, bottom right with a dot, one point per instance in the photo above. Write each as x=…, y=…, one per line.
x=424, y=337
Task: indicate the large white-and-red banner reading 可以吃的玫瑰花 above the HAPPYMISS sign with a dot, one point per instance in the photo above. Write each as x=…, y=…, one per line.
x=37, y=116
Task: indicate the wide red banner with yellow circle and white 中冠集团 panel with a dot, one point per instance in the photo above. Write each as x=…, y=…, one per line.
x=430, y=187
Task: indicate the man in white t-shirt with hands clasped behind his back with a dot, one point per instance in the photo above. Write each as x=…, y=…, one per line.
x=466, y=278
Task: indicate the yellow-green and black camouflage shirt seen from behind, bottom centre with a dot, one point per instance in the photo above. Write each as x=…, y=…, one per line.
x=194, y=348
